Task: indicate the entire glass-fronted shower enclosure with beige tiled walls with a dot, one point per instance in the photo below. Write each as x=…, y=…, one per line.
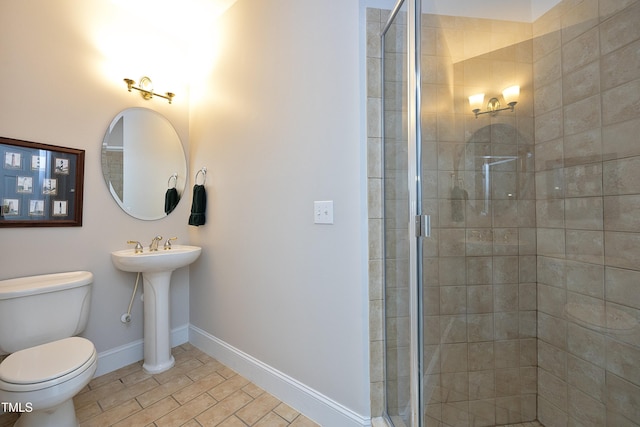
x=510, y=244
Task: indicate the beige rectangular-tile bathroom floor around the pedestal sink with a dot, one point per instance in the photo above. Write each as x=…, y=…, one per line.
x=198, y=391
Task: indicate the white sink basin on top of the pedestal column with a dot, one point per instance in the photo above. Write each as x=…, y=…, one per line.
x=155, y=262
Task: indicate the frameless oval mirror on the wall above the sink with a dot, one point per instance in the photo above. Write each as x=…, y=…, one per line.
x=143, y=163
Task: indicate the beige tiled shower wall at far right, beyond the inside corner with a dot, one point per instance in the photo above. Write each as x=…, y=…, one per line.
x=587, y=110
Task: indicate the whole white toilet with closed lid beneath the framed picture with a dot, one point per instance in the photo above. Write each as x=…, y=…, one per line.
x=47, y=364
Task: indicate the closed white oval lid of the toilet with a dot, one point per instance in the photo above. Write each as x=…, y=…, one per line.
x=47, y=361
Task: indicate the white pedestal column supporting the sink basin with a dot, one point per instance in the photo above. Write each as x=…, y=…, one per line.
x=157, y=341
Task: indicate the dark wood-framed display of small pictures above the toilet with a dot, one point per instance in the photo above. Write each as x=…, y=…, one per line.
x=41, y=185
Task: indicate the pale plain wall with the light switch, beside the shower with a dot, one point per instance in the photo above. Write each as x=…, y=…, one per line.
x=279, y=128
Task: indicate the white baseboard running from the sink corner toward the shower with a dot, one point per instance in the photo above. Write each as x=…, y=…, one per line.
x=304, y=399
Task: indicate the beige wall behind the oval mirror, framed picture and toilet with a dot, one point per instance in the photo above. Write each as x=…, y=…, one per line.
x=59, y=87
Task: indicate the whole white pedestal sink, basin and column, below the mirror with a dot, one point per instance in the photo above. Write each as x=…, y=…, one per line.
x=156, y=269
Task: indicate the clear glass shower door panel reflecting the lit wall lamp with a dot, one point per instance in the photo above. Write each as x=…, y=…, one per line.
x=479, y=281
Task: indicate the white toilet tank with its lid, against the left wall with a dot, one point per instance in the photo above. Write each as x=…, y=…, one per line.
x=40, y=309
